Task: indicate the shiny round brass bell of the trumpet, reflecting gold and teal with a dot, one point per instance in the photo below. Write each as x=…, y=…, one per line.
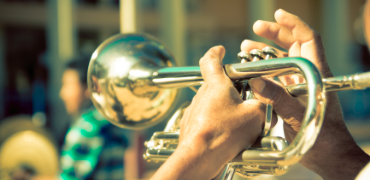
x=119, y=80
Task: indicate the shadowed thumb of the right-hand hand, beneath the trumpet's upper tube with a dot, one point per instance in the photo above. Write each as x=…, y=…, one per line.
x=270, y=92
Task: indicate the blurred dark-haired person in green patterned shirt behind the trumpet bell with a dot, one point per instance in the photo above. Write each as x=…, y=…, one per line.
x=93, y=148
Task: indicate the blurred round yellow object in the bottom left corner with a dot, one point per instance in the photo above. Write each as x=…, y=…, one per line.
x=30, y=149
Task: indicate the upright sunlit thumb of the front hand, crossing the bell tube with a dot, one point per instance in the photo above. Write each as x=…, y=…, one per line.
x=211, y=64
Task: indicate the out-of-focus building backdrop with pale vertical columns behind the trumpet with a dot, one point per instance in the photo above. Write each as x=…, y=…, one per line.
x=37, y=37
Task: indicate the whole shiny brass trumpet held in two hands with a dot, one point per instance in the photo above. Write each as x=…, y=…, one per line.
x=133, y=82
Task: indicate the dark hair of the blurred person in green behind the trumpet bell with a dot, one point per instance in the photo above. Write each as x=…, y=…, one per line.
x=80, y=64
